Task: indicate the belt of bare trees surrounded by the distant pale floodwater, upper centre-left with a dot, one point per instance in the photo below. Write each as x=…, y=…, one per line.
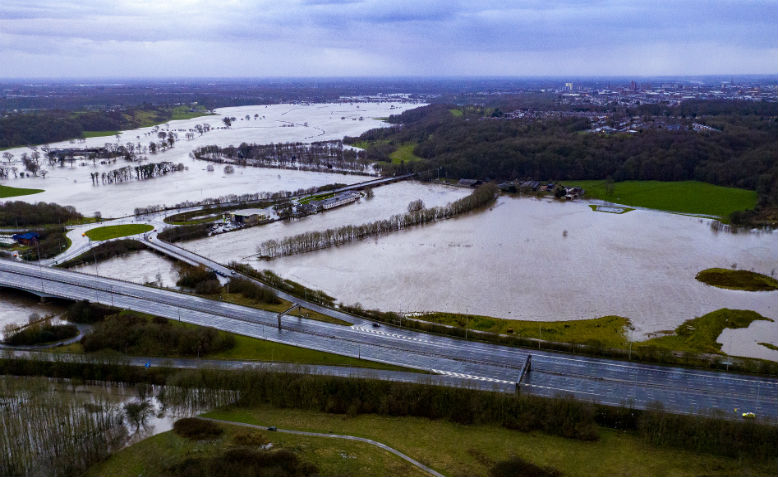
x=323, y=155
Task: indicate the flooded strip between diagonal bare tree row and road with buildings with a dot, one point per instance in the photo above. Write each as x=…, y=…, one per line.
x=387, y=201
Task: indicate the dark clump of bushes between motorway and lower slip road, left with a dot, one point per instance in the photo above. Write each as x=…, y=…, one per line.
x=132, y=333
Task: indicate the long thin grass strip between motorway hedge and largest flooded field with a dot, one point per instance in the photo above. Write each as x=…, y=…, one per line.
x=608, y=330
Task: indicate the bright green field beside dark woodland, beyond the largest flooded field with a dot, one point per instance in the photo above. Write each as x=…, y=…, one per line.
x=688, y=197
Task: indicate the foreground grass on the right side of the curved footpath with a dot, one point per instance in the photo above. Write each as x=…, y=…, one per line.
x=456, y=449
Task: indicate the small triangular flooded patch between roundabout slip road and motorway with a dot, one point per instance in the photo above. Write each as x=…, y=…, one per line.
x=139, y=267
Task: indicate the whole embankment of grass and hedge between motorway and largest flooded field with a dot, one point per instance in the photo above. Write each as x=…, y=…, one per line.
x=692, y=344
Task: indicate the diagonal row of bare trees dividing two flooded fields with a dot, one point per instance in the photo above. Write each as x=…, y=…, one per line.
x=310, y=241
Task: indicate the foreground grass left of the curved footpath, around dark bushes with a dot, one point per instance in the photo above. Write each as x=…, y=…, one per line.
x=155, y=455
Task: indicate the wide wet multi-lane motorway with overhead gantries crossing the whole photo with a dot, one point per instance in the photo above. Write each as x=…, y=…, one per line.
x=491, y=366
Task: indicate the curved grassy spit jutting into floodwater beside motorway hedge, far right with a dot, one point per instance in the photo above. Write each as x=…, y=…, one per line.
x=699, y=334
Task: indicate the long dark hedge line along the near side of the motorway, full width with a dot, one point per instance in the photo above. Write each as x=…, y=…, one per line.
x=556, y=416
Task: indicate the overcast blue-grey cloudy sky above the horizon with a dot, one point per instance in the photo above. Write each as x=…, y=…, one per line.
x=231, y=38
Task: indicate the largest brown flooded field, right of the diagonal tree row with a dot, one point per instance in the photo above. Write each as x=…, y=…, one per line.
x=542, y=260
